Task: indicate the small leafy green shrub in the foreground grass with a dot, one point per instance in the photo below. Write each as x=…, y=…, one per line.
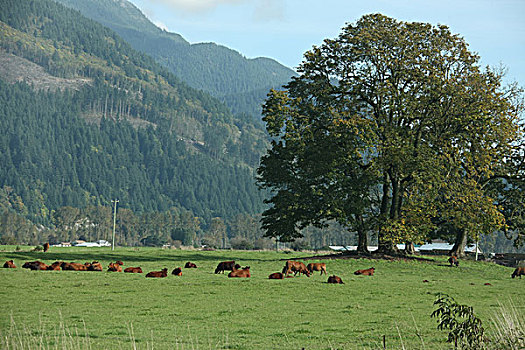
x=466, y=329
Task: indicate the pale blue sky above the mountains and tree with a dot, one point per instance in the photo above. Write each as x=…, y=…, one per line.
x=285, y=29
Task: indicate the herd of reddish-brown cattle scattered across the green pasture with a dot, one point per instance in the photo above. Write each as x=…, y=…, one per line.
x=295, y=267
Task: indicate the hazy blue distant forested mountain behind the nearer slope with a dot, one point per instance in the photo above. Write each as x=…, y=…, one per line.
x=239, y=82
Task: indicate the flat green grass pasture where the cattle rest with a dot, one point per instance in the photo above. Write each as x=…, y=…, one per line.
x=202, y=310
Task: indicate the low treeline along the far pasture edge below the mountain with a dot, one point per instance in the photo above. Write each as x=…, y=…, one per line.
x=173, y=226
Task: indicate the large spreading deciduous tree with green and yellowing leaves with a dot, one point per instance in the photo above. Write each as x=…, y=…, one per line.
x=388, y=126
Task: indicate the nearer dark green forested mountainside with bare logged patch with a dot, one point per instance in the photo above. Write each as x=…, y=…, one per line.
x=88, y=118
